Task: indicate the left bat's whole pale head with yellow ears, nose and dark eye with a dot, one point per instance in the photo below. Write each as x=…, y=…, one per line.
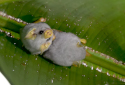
x=38, y=34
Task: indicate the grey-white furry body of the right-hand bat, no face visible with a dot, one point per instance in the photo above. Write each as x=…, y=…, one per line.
x=64, y=50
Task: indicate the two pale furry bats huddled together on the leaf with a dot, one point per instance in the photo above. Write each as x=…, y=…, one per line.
x=61, y=48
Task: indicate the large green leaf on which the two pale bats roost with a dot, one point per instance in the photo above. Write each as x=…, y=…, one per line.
x=101, y=23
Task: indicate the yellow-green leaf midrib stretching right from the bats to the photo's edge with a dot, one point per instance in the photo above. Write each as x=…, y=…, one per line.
x=106, y=62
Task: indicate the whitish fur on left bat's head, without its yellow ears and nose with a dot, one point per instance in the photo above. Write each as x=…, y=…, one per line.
x=34, y=45
